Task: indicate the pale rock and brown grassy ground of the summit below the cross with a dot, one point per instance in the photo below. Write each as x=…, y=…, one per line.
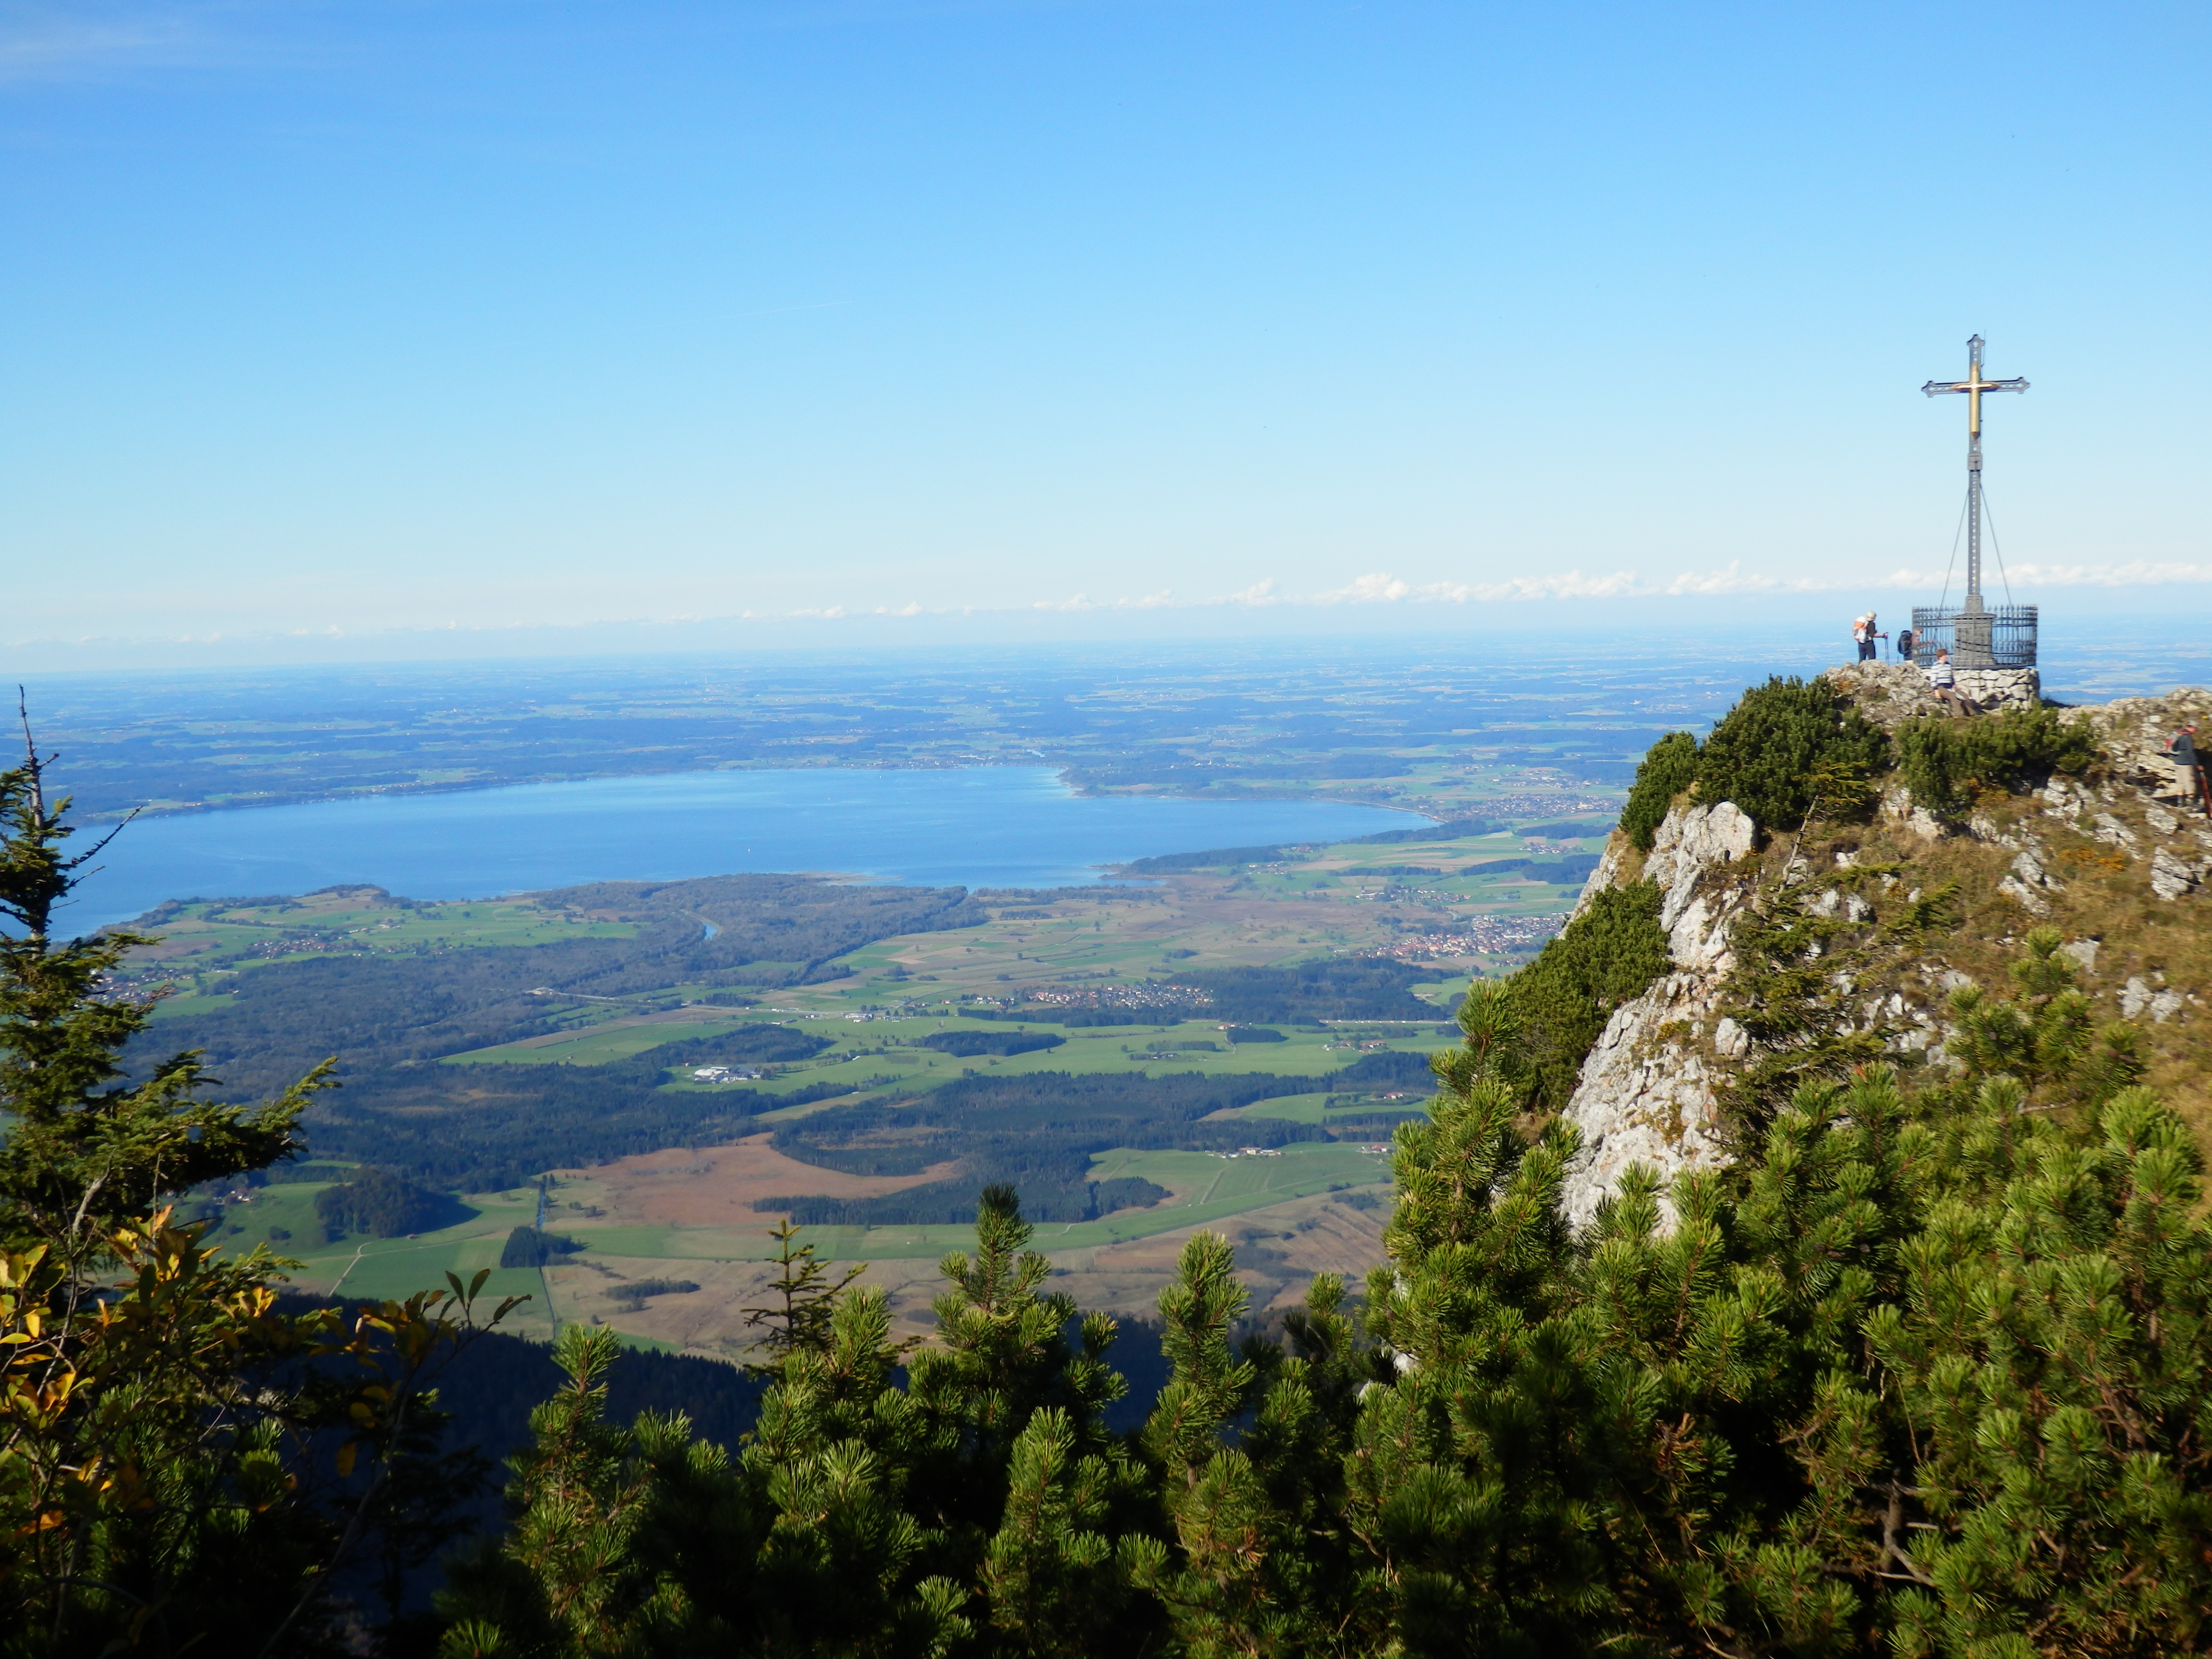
x=2114, y=857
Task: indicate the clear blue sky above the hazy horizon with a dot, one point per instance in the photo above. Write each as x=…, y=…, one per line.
x=508, y=317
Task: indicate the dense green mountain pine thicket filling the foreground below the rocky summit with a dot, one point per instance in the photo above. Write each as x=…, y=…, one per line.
x=1926, y=1373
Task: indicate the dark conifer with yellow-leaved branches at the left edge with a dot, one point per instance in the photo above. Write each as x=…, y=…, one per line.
x=154, y=1401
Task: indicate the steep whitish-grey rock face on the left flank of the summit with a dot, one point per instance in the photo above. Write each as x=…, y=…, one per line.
x=1649, y=1098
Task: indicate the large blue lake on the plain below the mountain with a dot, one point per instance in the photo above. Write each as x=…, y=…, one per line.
x=974, y=828
